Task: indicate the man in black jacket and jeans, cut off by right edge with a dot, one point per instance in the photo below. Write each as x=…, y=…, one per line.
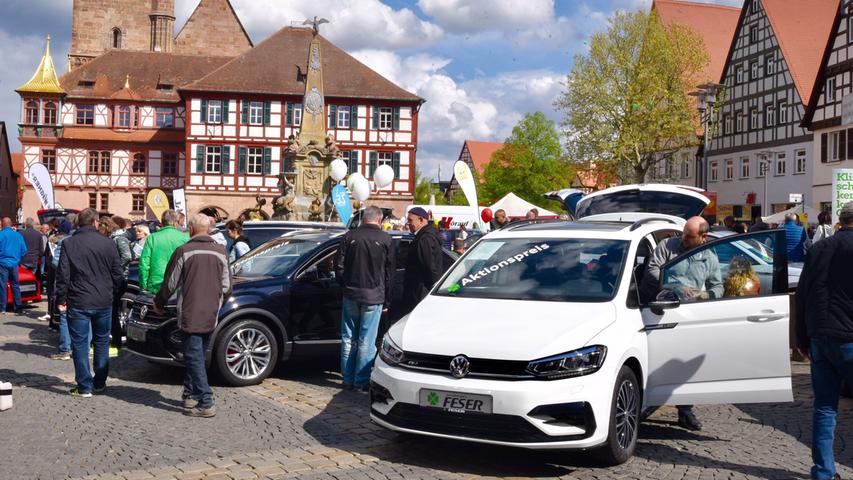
x=825, y=333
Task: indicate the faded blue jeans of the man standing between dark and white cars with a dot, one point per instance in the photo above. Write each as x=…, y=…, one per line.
x=359, y=324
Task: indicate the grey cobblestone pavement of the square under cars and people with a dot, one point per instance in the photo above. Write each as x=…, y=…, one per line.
x=300, y=424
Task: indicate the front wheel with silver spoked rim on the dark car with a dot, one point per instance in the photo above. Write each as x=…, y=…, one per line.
x=246, y=353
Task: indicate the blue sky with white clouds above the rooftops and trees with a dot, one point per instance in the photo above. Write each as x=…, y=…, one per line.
x=480, y=64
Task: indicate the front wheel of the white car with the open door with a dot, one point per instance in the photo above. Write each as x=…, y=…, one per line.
x=624, y=420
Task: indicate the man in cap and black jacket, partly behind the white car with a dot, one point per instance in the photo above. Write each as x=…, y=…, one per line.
x=424, y=264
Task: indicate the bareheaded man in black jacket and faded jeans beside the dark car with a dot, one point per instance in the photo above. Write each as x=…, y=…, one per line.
x=365, y=266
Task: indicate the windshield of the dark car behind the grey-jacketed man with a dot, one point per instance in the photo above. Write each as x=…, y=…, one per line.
x=274, y=258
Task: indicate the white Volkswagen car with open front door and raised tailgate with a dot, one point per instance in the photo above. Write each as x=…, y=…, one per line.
x=537, y=336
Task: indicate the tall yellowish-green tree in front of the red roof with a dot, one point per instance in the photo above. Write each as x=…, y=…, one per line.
x=624, y=105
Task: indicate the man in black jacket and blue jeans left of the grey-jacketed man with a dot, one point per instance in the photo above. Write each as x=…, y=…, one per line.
x=89, y=272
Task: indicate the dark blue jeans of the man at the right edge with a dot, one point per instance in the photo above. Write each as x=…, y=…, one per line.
x=832, y=362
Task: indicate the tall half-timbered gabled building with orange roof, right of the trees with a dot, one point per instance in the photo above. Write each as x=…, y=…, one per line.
x=759, y=145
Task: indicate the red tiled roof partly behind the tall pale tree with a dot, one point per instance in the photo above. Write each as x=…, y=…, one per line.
x=716, y=24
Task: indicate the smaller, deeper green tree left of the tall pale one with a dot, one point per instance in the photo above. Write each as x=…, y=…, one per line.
x=530, y=163
